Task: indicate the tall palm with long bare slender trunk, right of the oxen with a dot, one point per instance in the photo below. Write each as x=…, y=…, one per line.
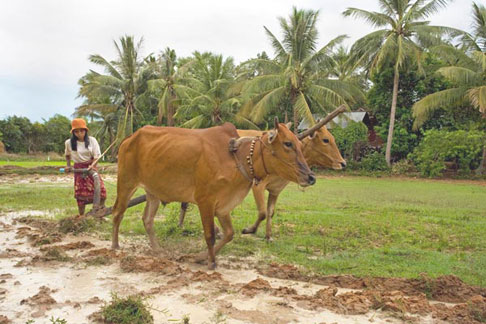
x=403, y=35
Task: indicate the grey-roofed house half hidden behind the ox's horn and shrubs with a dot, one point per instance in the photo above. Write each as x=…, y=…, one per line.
x=345, y=118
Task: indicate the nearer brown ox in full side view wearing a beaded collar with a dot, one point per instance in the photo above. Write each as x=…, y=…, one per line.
x=196, y=166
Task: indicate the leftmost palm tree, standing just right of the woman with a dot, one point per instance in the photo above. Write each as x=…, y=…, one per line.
x=123, y=82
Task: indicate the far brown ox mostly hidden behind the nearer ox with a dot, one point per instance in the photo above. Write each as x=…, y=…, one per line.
x=319, y=149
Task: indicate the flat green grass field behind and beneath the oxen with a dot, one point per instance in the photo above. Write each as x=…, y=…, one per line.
x=342, y=225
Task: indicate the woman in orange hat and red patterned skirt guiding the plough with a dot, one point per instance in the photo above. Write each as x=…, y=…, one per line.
x=83, y=150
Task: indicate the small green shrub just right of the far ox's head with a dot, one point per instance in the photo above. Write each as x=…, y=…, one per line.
x=346, y=138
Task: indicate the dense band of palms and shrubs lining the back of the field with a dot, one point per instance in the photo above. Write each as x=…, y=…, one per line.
x=411, y=76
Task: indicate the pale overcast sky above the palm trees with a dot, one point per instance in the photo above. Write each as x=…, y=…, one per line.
x=46, y=43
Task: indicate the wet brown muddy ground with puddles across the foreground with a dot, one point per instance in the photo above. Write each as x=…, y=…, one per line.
x=46, y=273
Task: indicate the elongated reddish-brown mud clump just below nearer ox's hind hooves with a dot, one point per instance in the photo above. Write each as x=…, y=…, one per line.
x=149, y=264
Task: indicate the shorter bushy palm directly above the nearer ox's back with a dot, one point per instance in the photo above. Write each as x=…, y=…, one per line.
x=210, y=99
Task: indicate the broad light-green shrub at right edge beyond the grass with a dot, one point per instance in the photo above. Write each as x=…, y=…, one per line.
x=461, y=147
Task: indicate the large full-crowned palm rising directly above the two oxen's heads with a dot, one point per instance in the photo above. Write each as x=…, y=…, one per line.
x=293, y=80
